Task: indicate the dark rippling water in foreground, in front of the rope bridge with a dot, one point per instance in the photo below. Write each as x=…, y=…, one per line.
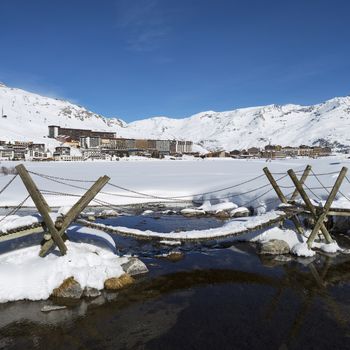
x=222, y=296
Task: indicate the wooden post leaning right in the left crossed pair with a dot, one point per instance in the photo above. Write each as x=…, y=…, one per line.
x=75, y=211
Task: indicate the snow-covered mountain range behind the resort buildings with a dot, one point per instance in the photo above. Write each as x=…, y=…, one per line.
x=28, y=116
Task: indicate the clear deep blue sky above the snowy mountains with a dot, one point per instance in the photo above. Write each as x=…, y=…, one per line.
x=139, y=58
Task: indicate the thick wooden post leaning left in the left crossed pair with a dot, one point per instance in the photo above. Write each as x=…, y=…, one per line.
x=41, y=205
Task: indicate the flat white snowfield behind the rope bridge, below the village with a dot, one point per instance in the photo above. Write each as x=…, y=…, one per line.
x=174, y=178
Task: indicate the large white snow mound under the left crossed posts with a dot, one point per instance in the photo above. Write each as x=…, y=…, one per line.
x=24, y=275
